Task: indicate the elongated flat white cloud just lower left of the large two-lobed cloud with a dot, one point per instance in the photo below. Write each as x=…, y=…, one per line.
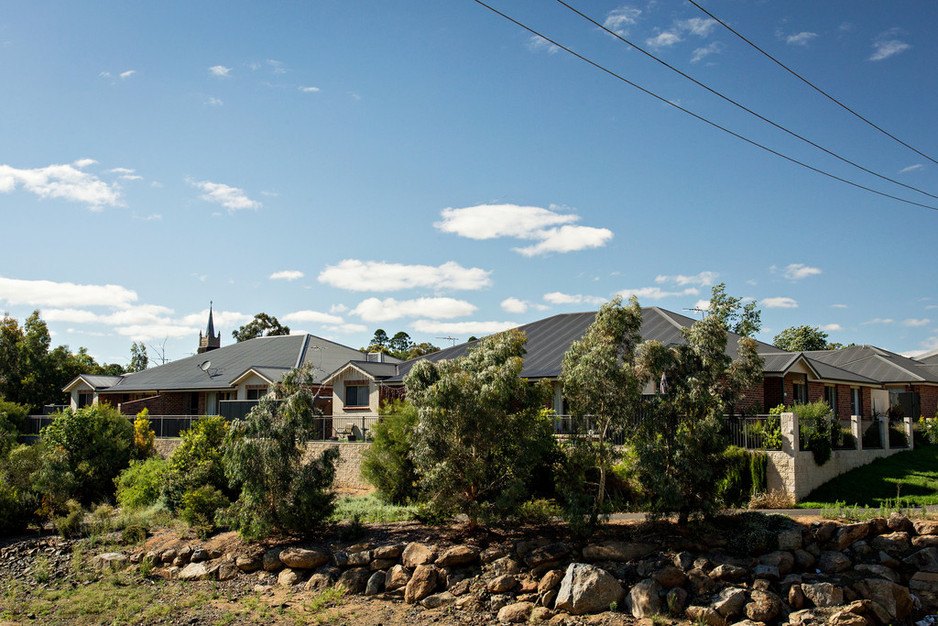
x=355, y=275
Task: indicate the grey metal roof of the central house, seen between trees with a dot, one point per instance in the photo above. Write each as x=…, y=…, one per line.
x=550, y=338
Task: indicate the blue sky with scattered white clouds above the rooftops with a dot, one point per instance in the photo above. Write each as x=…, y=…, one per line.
x=431, y=167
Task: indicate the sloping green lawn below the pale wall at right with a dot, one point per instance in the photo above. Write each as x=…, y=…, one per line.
x=910, y=476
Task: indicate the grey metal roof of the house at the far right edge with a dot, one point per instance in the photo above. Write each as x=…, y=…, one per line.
x=877, y=364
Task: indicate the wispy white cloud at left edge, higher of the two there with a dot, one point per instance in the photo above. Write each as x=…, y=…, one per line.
x=68, y=182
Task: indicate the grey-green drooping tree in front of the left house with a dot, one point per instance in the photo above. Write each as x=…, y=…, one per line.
x=264, y=455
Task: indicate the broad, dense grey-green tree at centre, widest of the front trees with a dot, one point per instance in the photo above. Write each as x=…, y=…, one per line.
x=480, y=431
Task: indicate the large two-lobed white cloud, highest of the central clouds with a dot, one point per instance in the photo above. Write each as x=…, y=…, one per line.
x=554, y=231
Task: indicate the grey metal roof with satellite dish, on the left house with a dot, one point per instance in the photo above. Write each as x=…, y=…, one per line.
x=216, y=369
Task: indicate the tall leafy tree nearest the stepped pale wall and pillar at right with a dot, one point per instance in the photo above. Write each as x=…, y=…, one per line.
x=676, y=449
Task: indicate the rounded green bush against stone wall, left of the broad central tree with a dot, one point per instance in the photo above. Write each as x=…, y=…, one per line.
x=387, y=463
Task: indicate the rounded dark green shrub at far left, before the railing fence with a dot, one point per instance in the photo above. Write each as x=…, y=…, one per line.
x=83, y=451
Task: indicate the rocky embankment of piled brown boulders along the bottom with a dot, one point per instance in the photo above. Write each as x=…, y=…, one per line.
x=883, y=571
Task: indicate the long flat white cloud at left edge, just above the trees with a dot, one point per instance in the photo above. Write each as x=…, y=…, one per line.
x=39, y=293
